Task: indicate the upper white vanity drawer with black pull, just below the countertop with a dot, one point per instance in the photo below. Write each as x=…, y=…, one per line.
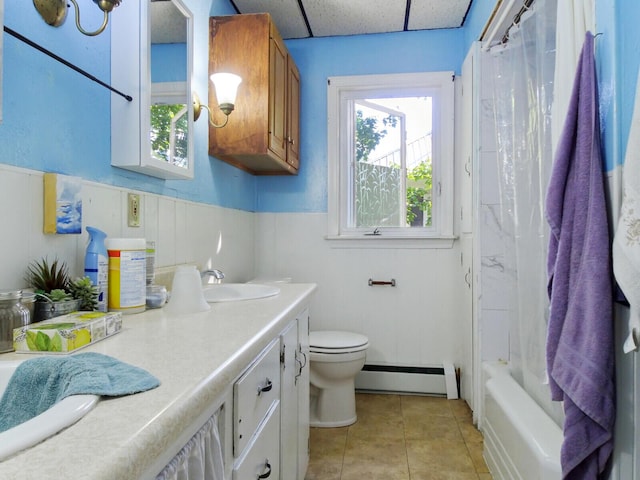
x=253, y=395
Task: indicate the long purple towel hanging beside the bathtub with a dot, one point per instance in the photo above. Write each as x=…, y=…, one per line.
x=580, y=354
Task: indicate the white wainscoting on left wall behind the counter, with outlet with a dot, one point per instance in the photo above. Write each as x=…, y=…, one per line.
x=184, y=232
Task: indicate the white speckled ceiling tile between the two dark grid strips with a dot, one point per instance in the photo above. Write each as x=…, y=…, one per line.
x=353, y=17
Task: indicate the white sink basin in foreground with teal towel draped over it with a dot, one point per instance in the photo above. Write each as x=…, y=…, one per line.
x=61, y=415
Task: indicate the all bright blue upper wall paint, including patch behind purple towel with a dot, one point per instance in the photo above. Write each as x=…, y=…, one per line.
x=56, y=120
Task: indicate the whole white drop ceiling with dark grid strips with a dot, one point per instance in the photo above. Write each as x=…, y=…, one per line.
x=324, y=18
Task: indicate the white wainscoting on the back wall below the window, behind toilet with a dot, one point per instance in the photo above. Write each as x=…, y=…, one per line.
x=416, y=323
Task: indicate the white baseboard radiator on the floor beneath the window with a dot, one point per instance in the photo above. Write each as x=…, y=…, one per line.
x=428, y=380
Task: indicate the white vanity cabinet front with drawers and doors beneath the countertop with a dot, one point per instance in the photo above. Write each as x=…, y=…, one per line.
x=266, y=433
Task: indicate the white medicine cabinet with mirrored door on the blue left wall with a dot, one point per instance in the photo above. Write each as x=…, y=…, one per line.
x=151, y=59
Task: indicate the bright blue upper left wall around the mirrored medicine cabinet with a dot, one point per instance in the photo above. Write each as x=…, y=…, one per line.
x=56, y=120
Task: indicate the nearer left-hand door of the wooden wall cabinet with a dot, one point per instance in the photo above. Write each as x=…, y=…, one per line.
x=277, y=98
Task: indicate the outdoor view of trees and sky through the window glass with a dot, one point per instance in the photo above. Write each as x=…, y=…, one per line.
x=393, y=162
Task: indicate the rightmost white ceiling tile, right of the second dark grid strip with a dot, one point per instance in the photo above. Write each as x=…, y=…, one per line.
x=430, y=14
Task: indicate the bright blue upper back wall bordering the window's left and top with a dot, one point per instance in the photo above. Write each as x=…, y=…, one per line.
x=320, y=58
